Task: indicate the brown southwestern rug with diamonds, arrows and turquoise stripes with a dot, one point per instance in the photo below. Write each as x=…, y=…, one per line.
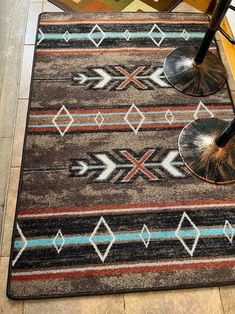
x=105, y=203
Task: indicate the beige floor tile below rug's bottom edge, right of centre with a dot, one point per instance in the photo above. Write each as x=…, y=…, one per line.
x=191, y=301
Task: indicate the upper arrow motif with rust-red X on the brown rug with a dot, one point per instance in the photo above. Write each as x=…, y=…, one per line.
x=124, y=78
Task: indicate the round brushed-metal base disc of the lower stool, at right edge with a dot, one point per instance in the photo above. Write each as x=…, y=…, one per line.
x=202, y=156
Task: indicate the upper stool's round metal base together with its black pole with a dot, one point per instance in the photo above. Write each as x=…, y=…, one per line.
x=196, y=71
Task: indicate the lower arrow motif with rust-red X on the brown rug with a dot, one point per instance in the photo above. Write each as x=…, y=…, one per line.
x=127, y=166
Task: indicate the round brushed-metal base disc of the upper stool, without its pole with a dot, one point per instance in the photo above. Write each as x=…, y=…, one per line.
x=192, y=79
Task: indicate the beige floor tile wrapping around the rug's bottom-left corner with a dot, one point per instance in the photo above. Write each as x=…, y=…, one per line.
x=7, y=306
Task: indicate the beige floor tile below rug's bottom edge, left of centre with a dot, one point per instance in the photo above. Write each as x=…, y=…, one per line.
x=86, y=305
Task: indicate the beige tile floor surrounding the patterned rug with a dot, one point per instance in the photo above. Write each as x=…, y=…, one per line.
x=14, y=93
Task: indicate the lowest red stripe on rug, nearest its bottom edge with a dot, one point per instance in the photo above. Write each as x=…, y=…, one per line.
x=121, y=270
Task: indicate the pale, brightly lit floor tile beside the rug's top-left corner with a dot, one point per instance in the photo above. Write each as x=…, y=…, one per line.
x=35, y=8
